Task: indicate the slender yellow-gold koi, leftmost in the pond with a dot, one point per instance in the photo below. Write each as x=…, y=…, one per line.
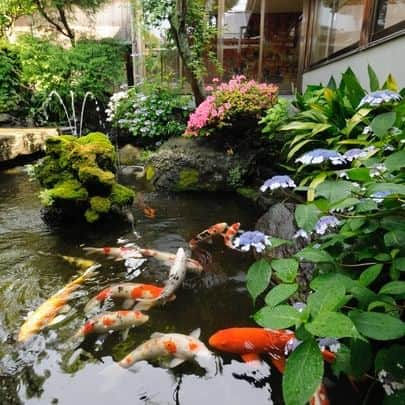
x=47, y=312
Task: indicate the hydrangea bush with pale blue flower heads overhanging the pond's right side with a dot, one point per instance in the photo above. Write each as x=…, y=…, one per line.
x=352, y=220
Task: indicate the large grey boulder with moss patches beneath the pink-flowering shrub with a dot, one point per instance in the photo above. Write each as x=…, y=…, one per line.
x=190, y=165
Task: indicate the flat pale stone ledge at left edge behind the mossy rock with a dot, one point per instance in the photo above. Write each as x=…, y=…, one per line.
x=16, y=142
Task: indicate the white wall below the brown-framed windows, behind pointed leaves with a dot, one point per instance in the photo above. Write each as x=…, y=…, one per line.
x=385, y=58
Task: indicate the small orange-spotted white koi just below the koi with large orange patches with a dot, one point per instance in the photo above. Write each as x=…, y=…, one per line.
x=113, y=321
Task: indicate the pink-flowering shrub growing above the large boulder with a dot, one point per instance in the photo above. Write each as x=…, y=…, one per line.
x=238, y=99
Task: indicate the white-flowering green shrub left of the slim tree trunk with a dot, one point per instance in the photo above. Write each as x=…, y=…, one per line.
x=150, y=114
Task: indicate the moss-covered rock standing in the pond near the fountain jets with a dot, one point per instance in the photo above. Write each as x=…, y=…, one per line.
x=77, y=176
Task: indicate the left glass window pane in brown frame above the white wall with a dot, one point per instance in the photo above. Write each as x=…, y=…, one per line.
x=337, y=26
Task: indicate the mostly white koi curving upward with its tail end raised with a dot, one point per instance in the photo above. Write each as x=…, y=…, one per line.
x=177, y=274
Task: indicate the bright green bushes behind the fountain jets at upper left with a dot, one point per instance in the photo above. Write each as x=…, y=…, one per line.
x=95, y=66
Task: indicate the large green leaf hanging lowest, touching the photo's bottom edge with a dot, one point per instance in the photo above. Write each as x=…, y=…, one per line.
x=303, y=373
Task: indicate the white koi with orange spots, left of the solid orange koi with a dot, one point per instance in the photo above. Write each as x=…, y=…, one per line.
x=176, y=346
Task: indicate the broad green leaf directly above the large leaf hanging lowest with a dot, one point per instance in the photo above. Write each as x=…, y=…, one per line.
x=332, y=324
